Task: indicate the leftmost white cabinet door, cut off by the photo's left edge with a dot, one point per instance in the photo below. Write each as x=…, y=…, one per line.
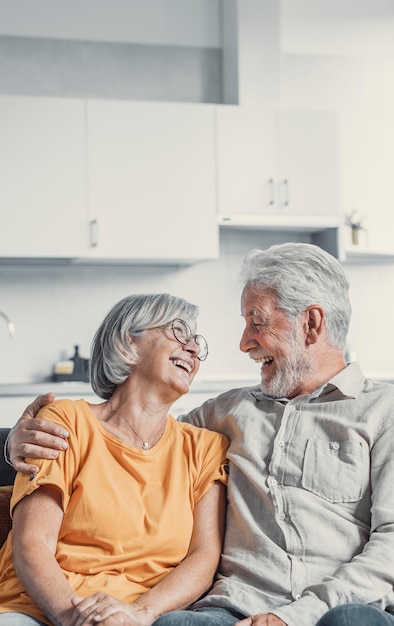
x=43, y=185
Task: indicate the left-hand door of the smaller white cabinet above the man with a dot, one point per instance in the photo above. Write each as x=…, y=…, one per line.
x=246, y=160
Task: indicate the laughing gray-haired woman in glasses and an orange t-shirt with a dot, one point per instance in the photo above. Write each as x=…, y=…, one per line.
x=128, y=524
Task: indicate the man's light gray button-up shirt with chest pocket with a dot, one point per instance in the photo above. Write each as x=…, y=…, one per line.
x=310, y=517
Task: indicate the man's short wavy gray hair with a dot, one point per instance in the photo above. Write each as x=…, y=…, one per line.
x=302, y=274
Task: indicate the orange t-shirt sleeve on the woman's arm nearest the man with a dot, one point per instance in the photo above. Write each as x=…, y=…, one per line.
x=214, y=462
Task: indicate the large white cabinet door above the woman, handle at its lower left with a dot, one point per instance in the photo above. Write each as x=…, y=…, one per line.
x=152, y=181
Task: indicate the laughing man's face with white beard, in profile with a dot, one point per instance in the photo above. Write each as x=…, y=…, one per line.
x=277, y=342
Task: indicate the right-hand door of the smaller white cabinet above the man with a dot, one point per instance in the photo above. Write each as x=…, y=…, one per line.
x=308, y=180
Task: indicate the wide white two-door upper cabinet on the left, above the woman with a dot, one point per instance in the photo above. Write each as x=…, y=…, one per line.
x=107, y=180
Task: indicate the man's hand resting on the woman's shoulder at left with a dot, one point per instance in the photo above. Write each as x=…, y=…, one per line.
x=35, y=437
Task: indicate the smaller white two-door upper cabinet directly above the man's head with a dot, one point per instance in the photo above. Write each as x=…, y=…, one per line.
x=278, y=167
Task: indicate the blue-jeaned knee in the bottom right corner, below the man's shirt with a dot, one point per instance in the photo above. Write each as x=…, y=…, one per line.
x=356, y=615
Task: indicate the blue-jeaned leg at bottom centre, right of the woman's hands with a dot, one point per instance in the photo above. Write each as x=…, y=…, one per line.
x=206, y=616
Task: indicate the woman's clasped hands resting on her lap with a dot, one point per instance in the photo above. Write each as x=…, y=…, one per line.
x=105, y=610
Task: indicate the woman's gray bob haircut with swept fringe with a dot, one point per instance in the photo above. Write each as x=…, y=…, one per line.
x=112, y=354
